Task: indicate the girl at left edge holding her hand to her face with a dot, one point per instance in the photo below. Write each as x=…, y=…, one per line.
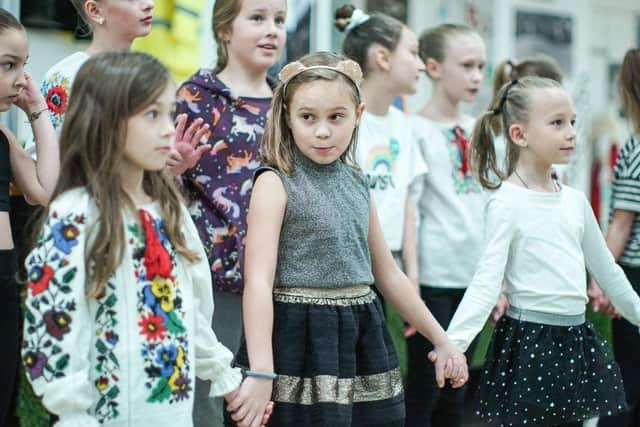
x=37, y=180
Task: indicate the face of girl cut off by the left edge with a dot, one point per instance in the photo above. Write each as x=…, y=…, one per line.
x=14, y=50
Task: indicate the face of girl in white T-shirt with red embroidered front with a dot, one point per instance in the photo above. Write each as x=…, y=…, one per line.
x=462, y=70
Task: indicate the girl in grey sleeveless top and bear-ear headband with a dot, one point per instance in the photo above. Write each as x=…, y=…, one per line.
x=315, y=332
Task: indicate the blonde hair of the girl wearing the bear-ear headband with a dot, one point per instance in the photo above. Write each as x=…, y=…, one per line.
x=278, y=146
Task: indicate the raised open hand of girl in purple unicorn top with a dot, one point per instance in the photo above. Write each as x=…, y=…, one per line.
x=186, y=145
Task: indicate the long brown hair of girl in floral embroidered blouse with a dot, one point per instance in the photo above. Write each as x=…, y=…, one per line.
x=110, y=88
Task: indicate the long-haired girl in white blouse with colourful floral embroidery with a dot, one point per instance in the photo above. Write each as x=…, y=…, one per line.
x=118, y=309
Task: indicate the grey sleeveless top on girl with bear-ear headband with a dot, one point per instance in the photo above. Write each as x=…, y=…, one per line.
x=324, y=234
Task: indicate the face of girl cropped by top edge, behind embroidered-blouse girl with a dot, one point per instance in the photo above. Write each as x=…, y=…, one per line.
x=127, y=19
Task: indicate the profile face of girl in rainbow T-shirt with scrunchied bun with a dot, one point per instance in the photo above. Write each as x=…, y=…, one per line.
x=406, y=65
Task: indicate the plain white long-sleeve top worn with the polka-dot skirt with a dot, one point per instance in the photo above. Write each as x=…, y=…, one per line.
x=540, y=243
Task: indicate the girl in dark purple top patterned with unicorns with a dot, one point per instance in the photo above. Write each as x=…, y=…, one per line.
x=233, y=100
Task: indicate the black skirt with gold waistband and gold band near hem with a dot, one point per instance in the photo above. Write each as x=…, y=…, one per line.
x=335, y=360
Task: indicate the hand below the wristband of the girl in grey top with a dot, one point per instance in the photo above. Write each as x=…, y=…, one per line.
x=250, y=406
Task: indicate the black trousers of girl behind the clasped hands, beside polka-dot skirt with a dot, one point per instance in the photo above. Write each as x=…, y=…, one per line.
x=427, y=405
